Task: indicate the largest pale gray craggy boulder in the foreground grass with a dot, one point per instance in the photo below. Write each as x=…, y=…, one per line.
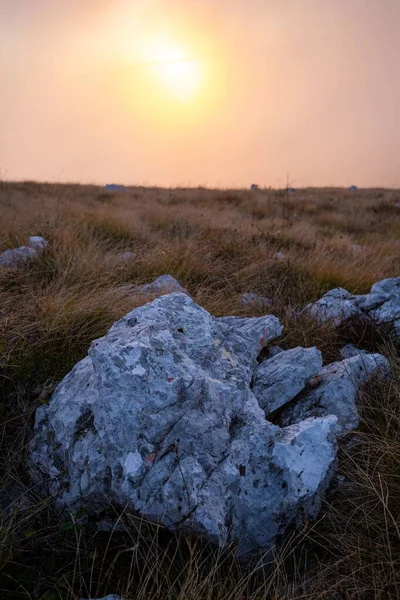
x=160, y=417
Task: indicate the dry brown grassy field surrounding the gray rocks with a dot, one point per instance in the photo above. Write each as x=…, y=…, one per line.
x=218, y=244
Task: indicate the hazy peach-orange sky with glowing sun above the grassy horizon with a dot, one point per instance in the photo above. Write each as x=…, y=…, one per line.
x=201, y=92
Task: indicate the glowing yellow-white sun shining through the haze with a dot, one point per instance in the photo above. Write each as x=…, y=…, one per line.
x=174, y=70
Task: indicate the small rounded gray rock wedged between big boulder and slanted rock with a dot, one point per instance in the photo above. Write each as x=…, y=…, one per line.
x=282, y=377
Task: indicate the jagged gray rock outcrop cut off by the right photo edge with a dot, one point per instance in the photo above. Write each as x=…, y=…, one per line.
x=382, y=304
